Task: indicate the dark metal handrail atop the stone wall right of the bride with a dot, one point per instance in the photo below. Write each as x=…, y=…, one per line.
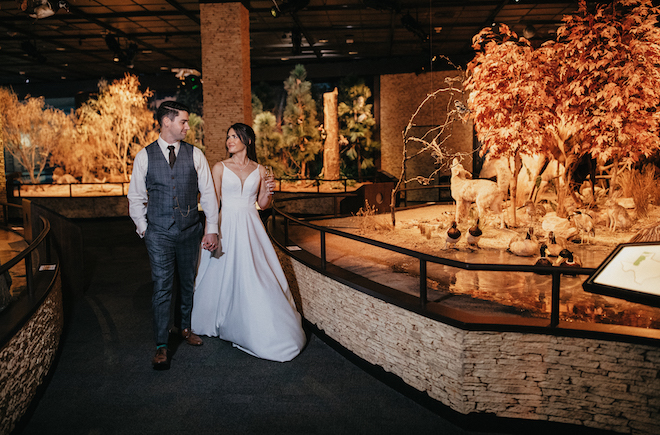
x=554, y=271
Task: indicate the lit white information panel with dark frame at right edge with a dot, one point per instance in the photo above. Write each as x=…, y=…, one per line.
x=630, y=272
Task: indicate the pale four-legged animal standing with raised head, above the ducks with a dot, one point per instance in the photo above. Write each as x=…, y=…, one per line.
x=465, y=191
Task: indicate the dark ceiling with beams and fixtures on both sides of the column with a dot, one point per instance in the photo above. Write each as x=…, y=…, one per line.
x=151, y=38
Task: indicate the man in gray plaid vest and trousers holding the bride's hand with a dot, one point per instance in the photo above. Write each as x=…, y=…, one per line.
x=162, y=199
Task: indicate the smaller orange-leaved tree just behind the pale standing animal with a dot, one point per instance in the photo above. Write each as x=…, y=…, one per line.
x=511, y=103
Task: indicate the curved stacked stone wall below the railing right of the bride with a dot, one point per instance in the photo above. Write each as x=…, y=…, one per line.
x=593, y=383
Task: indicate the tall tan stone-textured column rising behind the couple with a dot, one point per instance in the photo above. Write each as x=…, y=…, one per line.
x=225, y=34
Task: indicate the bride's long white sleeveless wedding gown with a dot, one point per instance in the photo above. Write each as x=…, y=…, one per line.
x=241, y=293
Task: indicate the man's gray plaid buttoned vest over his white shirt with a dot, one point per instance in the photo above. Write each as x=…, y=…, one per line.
x=172, y=191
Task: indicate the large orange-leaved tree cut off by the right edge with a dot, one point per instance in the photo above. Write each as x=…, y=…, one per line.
x=609, y=81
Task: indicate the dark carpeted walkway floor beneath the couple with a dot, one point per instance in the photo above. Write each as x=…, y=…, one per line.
x=103, y=382
